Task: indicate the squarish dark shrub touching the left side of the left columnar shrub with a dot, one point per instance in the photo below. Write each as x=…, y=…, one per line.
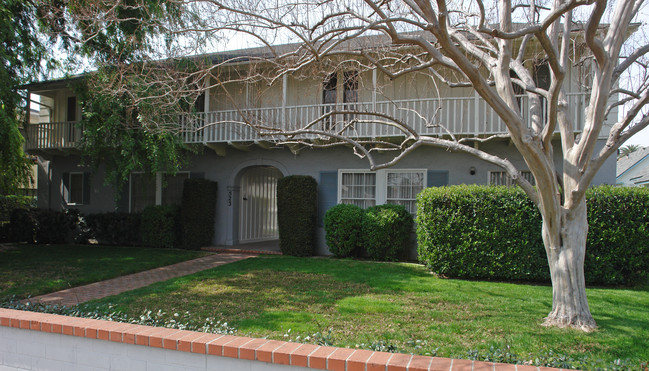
x=159, y=226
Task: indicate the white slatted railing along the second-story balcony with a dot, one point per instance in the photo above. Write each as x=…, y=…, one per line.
x=462, y=117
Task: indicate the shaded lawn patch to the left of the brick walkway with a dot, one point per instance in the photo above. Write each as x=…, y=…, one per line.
x=30, y=270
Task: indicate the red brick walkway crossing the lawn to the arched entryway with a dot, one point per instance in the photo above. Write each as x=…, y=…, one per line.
x=98, y=290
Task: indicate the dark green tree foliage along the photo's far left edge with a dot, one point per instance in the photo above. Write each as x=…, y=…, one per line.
x=21, y=53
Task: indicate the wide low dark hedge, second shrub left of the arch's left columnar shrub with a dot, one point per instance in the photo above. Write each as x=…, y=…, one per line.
x=114, y=228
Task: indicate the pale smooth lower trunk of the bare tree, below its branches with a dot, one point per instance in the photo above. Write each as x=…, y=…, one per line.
x=566, y=248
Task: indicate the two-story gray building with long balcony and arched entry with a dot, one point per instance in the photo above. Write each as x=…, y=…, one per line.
x=247, y=166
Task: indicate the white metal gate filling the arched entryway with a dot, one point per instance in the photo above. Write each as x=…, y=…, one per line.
x=258, y=204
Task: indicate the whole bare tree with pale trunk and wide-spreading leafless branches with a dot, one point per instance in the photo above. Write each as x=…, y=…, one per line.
x=489, y=46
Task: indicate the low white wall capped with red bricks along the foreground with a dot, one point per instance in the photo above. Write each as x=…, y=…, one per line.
x=30, y=341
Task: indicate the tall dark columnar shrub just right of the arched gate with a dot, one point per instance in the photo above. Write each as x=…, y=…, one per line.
x=297, y=204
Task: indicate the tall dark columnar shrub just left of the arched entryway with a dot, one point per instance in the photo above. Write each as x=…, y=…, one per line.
x=198, y=213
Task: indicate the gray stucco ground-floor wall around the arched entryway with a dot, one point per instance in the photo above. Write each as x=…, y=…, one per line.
x=226, y=170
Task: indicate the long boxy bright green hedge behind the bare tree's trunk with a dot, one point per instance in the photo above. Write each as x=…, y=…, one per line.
x=495, y=233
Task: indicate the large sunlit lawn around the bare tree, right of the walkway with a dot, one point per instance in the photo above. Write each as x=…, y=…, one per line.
x=365, y=302
